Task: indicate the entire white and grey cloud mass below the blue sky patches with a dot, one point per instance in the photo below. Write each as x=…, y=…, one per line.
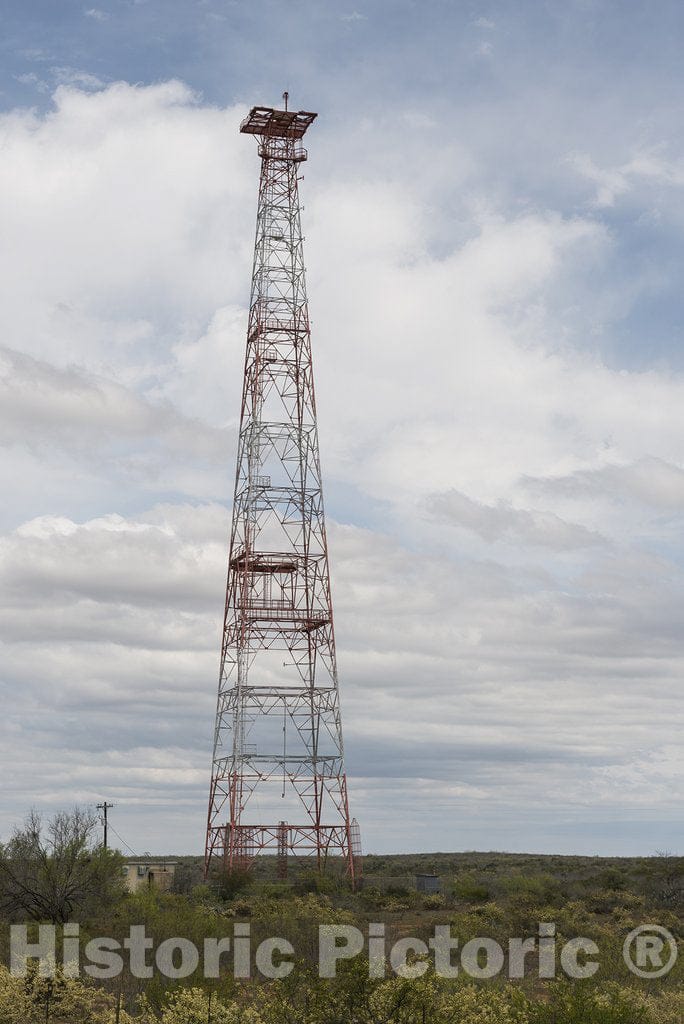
x=508, y=652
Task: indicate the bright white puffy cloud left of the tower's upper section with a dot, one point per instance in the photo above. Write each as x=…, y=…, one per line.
x=111, y=201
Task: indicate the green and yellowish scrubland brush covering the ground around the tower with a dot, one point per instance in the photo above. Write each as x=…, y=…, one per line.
x=483, y=895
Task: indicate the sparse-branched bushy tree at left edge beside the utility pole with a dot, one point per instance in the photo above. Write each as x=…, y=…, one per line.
x=56, y=872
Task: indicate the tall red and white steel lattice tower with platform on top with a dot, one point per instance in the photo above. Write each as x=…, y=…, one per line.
x=278, y=781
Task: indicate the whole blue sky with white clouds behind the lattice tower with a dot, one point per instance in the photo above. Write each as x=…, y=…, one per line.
x=494, y=211
